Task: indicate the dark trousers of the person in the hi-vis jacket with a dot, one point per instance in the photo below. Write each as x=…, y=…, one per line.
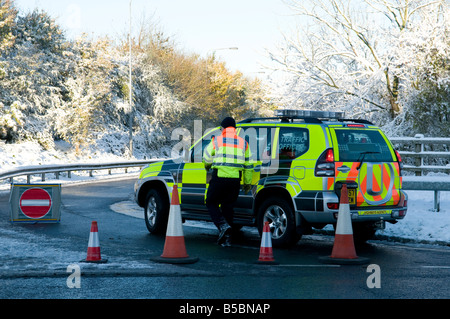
x=221, y=198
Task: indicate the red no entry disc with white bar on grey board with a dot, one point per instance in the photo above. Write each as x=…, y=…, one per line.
x=35, y=203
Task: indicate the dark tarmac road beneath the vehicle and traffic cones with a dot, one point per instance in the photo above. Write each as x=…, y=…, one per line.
x=37, y=269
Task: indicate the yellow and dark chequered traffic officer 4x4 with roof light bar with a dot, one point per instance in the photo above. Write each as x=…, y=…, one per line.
x=301, y=159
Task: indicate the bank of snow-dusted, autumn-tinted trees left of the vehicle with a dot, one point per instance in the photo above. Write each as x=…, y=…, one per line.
x=52, y=89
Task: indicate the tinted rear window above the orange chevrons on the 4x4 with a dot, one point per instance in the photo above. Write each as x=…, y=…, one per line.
x=353, y=144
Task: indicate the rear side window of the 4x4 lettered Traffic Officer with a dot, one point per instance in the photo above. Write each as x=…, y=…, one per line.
x=293, y=142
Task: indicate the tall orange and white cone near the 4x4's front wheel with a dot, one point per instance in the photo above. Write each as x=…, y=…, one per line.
x=174, y=247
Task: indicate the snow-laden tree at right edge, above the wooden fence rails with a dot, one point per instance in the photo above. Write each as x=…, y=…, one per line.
x=427, y=110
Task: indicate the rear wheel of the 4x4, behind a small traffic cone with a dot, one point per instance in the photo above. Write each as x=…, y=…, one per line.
x=280, y=216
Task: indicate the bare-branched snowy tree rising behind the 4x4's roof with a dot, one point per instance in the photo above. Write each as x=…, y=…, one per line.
x=357, y=55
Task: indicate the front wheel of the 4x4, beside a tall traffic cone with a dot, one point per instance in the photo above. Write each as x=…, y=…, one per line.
x=156, y=212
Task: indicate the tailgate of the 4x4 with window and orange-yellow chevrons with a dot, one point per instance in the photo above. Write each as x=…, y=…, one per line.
x=364, y=157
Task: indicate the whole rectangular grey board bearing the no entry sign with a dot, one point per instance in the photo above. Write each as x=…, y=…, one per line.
x=35, y=203
